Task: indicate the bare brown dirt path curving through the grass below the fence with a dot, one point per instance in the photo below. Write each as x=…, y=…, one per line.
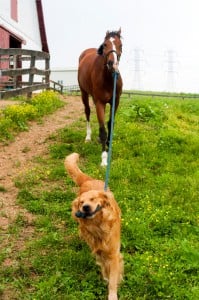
x=17, y=155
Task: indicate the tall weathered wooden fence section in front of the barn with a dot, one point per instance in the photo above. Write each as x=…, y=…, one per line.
x=12, y=70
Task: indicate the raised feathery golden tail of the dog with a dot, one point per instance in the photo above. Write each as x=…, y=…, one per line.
x=71, y=165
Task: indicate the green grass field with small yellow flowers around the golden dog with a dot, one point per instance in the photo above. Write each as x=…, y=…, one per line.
x=154, y=176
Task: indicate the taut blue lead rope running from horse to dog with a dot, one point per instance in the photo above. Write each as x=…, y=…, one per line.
x=111, y=135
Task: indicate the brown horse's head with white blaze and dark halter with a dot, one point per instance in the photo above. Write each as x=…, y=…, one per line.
x=111, y=49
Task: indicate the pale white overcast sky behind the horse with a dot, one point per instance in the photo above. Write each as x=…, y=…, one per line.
x=160, y=38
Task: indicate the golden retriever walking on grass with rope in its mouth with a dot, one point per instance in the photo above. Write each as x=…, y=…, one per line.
x=99, y=218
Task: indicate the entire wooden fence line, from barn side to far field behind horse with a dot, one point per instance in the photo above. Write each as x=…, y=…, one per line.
x=12, y=69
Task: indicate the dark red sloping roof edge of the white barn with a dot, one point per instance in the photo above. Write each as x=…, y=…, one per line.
x=42, y=26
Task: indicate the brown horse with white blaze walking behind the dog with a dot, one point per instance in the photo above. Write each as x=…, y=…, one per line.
x=95, y=76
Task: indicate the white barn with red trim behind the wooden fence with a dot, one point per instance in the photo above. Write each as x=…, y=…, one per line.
x=22, y=26
